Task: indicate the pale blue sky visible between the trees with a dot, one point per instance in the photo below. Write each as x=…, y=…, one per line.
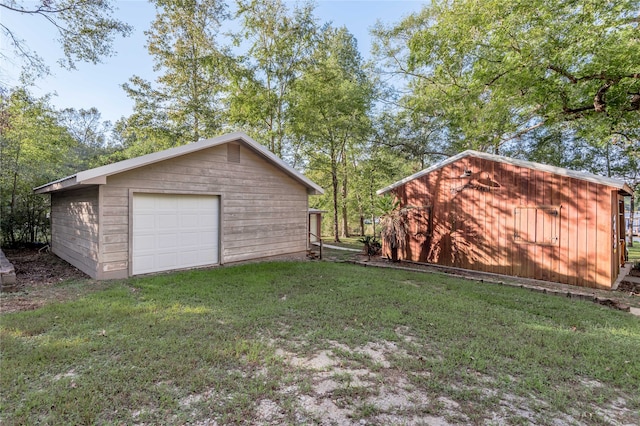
x=100, y=85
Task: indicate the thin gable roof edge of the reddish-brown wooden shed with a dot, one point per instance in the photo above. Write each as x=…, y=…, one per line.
x=589, y=177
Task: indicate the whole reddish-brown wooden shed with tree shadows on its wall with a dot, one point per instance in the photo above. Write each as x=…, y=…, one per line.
x=496, y=214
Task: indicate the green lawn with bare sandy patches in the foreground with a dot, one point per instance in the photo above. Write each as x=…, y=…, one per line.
x=294, y=343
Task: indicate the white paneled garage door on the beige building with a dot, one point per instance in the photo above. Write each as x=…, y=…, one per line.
x=172, y=231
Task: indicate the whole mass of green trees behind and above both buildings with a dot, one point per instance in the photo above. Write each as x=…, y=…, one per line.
x=556, y=82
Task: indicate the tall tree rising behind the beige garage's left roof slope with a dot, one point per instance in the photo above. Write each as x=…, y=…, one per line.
x=192, y=67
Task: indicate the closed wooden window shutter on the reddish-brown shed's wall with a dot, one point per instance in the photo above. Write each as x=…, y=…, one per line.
x=537, y=225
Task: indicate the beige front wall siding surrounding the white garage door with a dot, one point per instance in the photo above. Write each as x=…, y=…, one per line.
x=264, y=210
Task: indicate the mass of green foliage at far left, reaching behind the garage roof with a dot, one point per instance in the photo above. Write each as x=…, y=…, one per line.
x=39, y=144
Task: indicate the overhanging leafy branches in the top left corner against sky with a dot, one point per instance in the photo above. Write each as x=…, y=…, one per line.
x=85, y=28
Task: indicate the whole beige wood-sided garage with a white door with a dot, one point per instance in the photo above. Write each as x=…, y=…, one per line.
x=211, y=202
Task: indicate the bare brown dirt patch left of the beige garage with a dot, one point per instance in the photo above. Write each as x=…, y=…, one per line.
x=41, y=277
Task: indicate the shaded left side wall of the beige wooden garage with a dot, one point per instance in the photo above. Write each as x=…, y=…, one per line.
x=74, y=224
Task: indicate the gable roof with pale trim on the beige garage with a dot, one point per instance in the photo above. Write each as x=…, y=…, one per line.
x=99, y=174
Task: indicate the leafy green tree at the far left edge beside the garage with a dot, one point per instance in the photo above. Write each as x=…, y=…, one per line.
x=34, y=149
